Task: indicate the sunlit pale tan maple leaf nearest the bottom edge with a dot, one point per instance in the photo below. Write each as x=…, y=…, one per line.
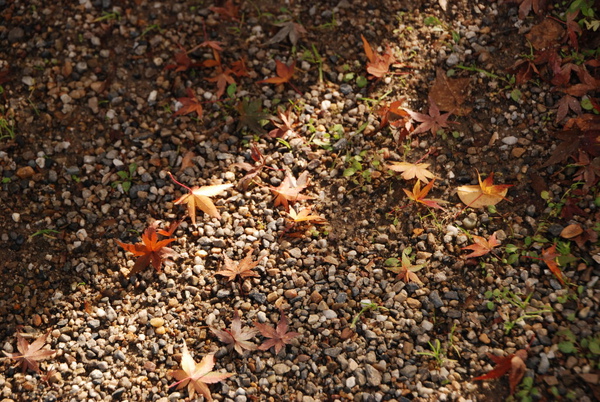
x=197, y=376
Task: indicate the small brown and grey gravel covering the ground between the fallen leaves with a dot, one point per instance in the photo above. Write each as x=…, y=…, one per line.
x=89, y=96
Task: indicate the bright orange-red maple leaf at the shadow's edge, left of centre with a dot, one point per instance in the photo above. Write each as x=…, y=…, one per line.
x=151, y=250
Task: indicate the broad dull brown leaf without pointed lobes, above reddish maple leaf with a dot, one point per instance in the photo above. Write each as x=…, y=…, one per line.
x=450, y=93
